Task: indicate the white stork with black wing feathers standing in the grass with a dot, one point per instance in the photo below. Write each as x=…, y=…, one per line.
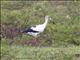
x=37, y=29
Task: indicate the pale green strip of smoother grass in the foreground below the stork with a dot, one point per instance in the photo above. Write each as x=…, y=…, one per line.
x=15, y=52
